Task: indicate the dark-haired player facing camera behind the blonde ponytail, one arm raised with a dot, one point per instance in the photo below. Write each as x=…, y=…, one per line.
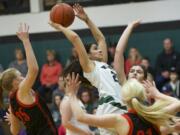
x=137, y=71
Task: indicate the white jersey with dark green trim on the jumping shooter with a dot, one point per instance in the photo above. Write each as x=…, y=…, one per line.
x=104, y=78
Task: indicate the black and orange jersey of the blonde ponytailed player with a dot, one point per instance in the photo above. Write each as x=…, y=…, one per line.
x=139, y=126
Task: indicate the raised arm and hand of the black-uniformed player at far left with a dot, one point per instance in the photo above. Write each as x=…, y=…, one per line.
x=27, y=83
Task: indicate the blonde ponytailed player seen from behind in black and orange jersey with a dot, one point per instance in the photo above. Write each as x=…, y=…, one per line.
x=140, y=119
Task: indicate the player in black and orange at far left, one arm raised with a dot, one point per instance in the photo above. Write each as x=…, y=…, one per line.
x=25, y=105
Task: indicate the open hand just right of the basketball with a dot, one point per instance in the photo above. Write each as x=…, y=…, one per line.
x=80, y=13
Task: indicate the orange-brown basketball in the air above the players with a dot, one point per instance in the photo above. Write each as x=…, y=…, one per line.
x=62, y=14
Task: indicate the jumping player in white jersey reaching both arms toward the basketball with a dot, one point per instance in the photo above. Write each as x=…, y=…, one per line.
x=93, y=62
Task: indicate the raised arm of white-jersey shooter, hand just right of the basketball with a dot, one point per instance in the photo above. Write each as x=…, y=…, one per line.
x=97, y=34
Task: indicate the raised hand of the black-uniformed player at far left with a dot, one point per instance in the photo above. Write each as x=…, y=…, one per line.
x=23, y=32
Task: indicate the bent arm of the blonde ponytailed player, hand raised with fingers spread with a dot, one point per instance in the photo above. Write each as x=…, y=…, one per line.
x=105, y=121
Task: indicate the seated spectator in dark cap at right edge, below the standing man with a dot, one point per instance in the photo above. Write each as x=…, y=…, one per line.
x=173, y=86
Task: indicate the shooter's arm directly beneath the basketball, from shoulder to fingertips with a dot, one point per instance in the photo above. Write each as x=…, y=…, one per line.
x=86, y=63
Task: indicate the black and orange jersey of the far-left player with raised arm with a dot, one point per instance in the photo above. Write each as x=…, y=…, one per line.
x=36, y=117
